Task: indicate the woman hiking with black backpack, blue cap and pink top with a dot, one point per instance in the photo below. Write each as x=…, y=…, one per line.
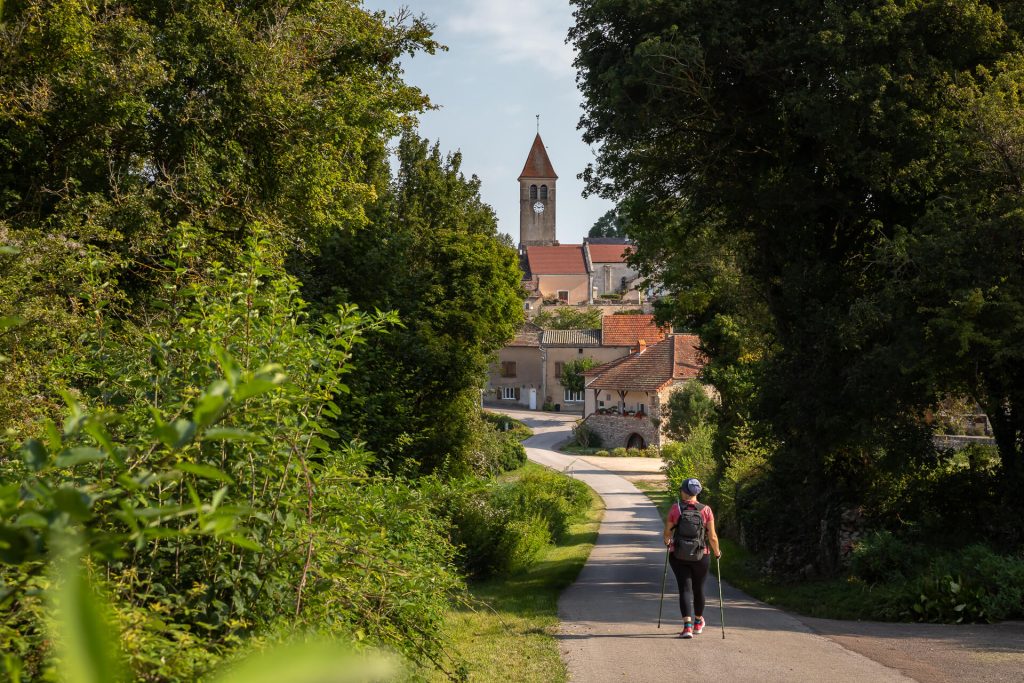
x=689, y=532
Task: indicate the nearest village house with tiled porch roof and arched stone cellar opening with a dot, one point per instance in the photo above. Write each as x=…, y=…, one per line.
x=625, y=399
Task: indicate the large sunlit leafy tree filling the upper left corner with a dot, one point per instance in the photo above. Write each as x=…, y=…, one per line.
x=122, y=120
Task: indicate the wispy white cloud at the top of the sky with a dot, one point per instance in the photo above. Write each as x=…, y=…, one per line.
x=521, y=31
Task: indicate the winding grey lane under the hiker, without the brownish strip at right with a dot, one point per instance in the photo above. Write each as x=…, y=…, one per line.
x=609, y=617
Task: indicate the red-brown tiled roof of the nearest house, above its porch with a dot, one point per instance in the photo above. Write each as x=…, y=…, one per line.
x=672, y=360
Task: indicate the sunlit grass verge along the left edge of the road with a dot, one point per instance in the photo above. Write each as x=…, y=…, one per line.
x=508, y=634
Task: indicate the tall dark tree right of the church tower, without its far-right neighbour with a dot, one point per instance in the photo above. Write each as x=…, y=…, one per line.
x=802, y=138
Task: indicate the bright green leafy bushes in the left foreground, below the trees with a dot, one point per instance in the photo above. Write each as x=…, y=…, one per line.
x=214, y=500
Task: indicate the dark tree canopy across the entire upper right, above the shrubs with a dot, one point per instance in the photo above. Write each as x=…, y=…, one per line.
x=829, y=191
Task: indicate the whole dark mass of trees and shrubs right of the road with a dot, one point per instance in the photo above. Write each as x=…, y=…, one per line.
x=840, y=221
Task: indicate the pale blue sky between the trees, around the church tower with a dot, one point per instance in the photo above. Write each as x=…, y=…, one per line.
x=507, y=62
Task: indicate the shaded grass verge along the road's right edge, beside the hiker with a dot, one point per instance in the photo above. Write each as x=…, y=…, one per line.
x=829, y=599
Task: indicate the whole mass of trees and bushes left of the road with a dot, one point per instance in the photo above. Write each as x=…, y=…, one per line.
x=241, y=354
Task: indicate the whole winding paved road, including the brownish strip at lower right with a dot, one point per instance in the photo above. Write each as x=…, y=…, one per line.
x=609, y=618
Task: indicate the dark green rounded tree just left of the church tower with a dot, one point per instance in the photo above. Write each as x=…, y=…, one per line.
x=443, y=267
